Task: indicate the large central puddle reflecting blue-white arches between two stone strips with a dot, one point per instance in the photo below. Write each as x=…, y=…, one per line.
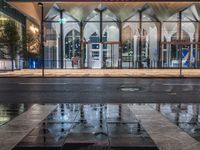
x=95, y=126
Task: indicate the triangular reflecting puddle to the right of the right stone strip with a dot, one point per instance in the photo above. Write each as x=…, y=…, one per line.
x=185, y=116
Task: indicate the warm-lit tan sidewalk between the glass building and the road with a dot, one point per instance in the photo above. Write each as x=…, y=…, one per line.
x=102, y=73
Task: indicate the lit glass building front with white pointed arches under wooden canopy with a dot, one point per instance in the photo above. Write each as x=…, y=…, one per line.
x=119, y=34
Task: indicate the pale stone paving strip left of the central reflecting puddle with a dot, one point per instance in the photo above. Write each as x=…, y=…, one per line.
x=15, y=130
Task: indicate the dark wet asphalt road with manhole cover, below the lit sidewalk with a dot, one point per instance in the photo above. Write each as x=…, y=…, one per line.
x=99, y=90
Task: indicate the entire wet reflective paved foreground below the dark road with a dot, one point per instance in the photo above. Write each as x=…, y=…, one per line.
x=103, y=126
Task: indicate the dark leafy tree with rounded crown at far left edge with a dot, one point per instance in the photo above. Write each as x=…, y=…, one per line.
x=10, y=37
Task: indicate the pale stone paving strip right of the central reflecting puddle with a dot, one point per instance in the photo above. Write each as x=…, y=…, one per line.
x=166, y=135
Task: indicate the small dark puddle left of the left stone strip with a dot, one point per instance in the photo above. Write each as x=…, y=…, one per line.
x=10, y=111
